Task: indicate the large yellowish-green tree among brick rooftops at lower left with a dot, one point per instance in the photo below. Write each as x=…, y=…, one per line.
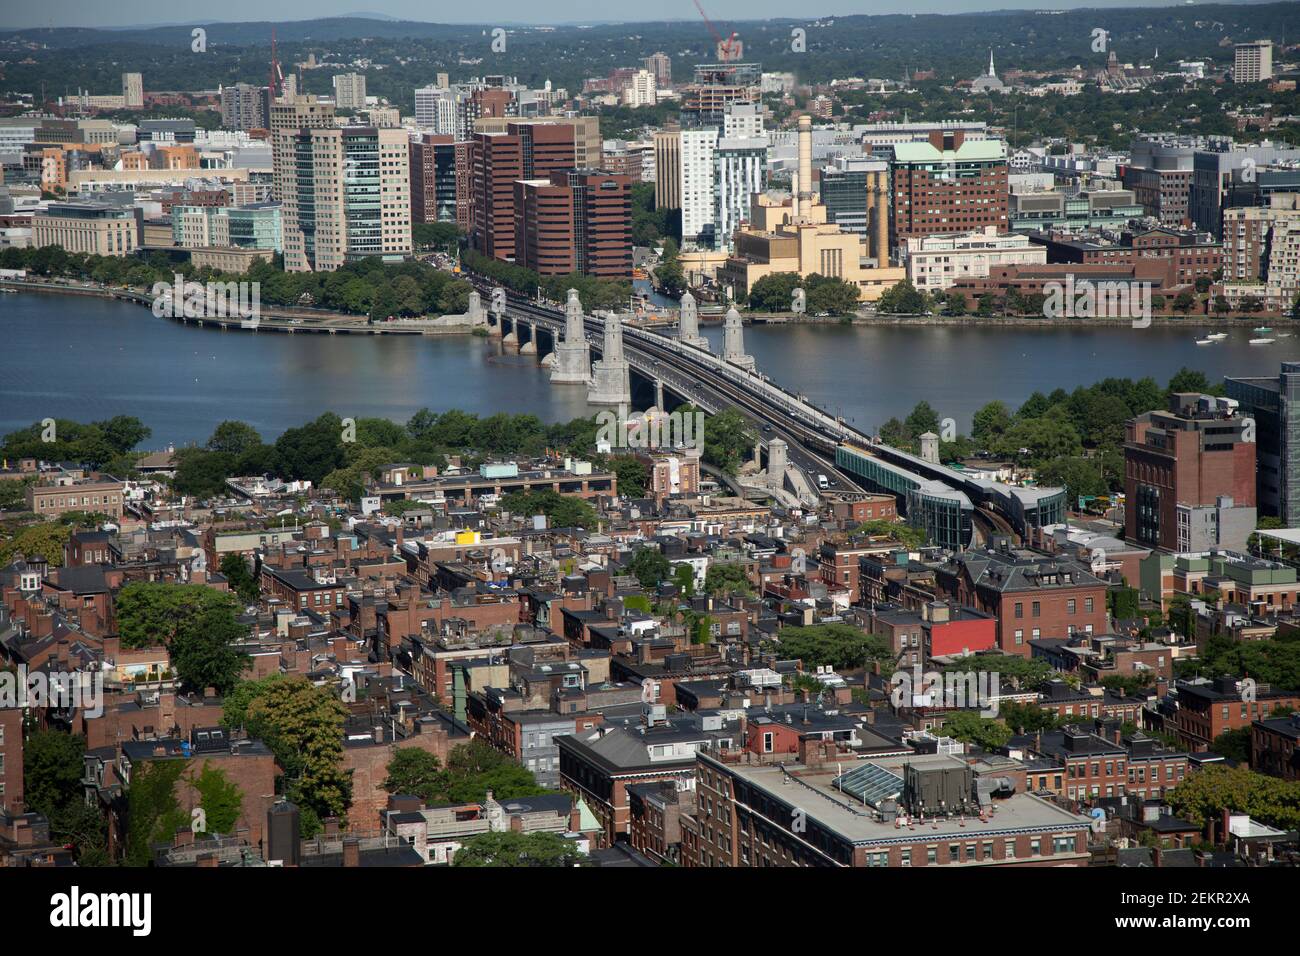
x=304, y=726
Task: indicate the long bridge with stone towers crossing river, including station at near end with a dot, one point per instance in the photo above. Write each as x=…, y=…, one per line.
x=955, y=509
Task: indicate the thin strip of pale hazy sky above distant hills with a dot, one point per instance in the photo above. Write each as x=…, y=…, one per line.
x=25, y=14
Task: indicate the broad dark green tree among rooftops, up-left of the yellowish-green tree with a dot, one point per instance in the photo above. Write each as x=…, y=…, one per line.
x=197, y=625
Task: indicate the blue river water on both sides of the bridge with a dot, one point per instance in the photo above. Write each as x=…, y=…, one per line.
x=86, y=360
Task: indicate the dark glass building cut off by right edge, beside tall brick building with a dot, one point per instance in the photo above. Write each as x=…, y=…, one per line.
x=1273, y=404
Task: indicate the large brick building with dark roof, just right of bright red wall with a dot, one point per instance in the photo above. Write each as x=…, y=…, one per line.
x=1032, y=596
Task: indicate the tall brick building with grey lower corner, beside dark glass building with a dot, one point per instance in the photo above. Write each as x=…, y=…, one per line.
x=1190, y=477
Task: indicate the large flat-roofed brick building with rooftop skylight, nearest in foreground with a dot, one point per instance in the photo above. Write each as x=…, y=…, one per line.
x=831, y=811
